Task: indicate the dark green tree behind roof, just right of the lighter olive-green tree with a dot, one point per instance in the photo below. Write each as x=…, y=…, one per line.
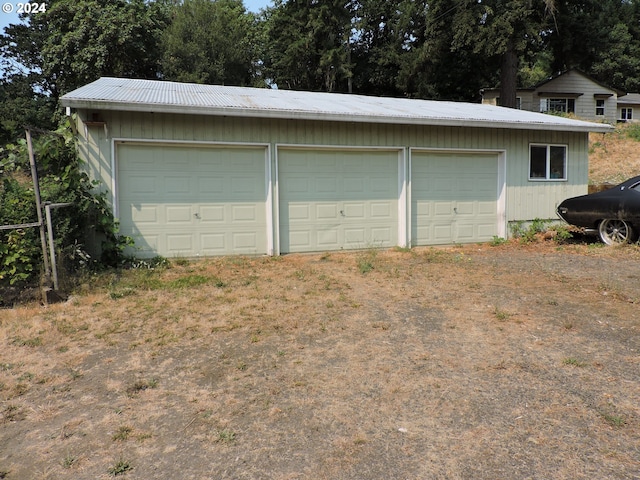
x=307, y=44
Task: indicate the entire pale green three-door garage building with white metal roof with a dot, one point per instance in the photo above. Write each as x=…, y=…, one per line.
x=199, y=170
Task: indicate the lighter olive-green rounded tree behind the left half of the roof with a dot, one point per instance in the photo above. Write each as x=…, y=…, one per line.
x=211, y=42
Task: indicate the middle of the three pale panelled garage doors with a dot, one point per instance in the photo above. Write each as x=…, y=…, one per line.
x=337, y=199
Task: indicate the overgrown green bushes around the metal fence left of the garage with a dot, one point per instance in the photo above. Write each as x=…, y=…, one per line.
x=61, y=180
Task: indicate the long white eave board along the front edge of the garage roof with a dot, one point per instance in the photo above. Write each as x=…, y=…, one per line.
x=300, y=115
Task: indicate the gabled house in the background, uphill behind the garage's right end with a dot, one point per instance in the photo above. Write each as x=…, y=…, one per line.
x=570, y=92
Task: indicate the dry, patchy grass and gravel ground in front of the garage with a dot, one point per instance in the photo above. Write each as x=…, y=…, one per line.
x=477, y=362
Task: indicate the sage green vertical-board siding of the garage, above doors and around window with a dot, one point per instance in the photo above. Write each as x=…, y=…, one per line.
x=525, y=200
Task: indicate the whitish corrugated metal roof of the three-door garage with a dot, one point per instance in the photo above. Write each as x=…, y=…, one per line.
x=187, y=98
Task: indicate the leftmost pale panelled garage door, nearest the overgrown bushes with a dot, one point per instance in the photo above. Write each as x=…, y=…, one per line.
x=177, y=200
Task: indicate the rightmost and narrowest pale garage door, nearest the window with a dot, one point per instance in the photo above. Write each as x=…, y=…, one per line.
x=453, y=197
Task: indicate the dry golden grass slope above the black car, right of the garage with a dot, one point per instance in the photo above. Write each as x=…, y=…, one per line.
x=613, y=157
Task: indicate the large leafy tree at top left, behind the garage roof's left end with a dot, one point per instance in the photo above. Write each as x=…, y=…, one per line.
x=77, y=41
